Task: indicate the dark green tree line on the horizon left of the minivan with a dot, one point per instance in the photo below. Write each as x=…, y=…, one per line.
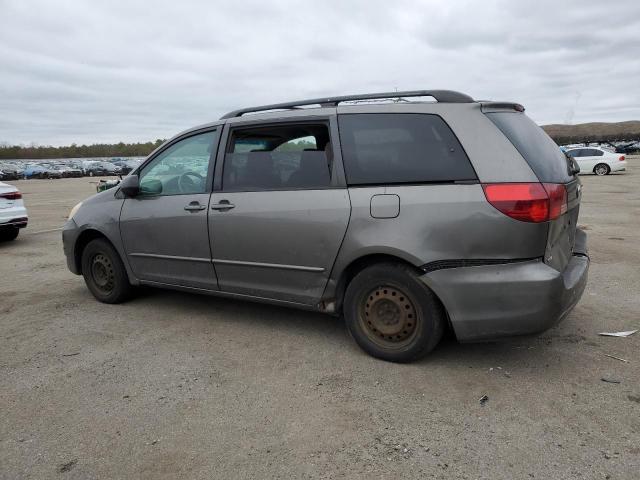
x=78, y=151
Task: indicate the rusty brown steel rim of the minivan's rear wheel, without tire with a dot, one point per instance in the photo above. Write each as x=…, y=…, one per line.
x=388, y=317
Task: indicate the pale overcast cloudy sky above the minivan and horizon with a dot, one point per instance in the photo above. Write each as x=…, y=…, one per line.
x=109, y=71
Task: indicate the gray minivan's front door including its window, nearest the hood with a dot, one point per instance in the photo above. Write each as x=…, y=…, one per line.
x=164, y=229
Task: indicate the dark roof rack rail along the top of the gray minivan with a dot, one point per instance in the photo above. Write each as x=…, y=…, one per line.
x=441, y=96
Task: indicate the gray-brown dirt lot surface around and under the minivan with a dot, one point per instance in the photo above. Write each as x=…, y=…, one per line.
x=174, y=385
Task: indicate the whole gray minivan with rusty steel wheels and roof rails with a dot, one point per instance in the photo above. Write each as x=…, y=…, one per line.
x=407, y=217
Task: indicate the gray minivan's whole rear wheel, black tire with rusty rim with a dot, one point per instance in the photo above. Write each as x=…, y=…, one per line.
x=391, y=314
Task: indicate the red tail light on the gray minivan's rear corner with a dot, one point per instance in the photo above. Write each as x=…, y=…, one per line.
x=528, y=202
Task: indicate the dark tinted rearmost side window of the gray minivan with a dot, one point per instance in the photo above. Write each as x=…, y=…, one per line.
x=384, y=148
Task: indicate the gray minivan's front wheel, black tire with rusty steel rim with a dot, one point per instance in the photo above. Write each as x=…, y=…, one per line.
x=104, y=273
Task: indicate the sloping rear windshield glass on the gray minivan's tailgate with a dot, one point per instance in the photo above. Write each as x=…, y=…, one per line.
x=536, y=147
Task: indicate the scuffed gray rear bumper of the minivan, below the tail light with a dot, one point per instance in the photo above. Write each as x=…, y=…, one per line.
x=507, y=300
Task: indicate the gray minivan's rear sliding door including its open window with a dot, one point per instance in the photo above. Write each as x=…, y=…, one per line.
x=278, y=220
